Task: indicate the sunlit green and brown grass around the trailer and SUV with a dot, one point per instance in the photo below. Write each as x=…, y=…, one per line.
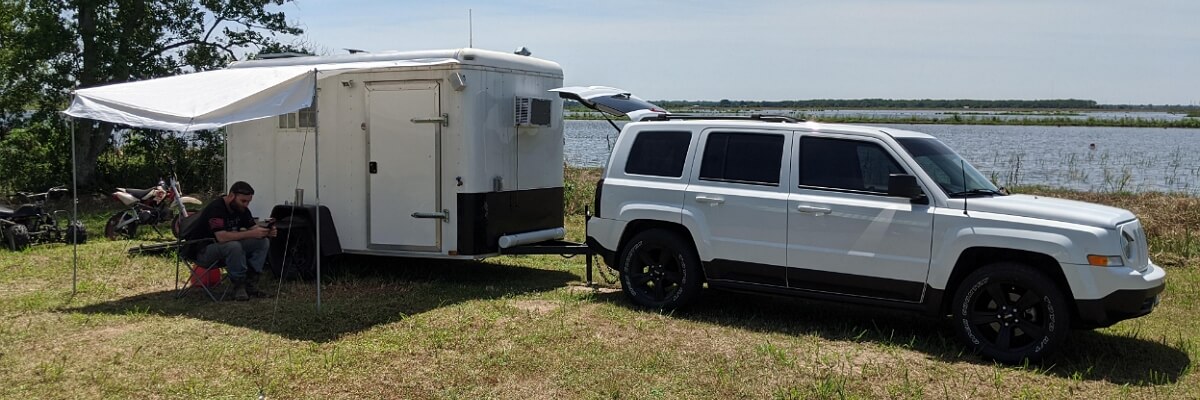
x=525, y=327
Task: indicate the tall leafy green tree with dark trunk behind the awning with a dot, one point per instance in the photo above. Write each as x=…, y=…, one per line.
x=52, y=47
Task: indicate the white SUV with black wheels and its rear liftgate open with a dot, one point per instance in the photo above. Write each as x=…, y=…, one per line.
x=861, y=214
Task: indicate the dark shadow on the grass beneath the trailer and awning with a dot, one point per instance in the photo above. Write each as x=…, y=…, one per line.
x=369, y=292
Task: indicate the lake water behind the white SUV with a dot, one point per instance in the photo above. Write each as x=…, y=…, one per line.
x=1125, y=159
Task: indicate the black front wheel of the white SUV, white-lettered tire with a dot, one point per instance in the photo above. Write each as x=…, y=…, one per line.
x=1011, y=313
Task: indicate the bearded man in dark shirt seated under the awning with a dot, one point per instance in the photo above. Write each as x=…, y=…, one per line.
x=241, y=243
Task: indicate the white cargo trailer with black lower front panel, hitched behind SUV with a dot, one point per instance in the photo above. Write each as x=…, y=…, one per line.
x=430, y=160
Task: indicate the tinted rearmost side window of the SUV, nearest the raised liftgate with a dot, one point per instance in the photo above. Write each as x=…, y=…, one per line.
x=658, y=154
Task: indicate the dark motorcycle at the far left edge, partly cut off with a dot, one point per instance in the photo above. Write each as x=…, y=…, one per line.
x=32, y=224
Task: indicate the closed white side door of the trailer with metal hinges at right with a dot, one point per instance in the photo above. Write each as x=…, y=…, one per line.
x=404, y=128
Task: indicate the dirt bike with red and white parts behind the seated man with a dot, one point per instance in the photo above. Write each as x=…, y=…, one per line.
x=149, y=207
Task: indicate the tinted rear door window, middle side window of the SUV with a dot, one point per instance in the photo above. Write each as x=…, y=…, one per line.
x=743, y=158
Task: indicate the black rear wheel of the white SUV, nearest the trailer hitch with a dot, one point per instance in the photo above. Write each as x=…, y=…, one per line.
x=659, y=270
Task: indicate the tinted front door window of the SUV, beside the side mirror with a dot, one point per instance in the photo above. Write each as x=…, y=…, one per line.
x=847, y=165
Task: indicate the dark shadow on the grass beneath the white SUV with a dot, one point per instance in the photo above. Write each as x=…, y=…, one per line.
x=1088, y=356
